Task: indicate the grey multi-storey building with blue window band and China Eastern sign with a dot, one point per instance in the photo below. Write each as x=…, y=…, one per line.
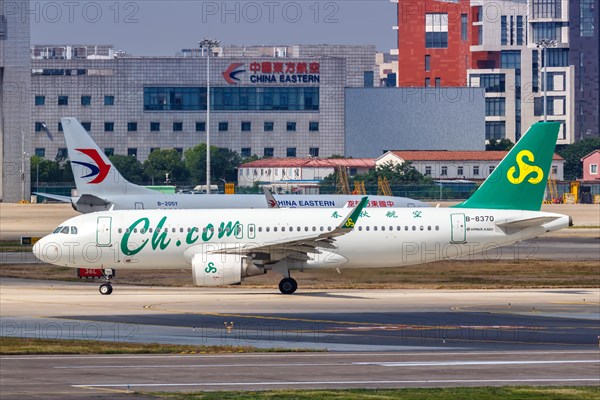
x=267, y=101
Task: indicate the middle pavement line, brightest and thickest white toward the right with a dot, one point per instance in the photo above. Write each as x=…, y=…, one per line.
x=373, y=363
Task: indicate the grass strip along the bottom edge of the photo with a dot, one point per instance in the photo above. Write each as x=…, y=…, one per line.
x=479, y=393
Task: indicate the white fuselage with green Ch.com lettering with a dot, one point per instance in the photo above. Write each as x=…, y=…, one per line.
x=157, y=239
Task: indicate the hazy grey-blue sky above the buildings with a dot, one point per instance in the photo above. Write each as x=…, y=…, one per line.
x=162, y=27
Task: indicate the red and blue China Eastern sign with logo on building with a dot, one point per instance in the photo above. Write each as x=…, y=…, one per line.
x=274, y=72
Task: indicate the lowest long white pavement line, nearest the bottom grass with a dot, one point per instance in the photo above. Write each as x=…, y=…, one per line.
x=366, y=382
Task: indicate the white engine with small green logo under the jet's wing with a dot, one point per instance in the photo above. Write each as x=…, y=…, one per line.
x=218, y=270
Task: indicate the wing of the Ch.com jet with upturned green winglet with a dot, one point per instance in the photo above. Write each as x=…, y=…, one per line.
x=300, y=248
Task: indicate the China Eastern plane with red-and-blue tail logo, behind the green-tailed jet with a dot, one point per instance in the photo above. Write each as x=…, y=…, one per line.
x=101, y=187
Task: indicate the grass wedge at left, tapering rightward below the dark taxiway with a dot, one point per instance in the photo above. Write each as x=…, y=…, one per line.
x=20, y=346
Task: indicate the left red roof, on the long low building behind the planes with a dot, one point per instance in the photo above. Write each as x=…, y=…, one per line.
x=311, y=163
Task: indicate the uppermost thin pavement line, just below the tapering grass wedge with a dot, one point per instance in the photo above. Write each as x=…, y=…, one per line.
x=442, y=352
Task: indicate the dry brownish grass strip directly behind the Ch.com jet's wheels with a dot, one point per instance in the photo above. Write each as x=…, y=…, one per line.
x=453, y=275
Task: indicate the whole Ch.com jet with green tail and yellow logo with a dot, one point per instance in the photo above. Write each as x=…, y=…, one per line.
x=225, y=246
